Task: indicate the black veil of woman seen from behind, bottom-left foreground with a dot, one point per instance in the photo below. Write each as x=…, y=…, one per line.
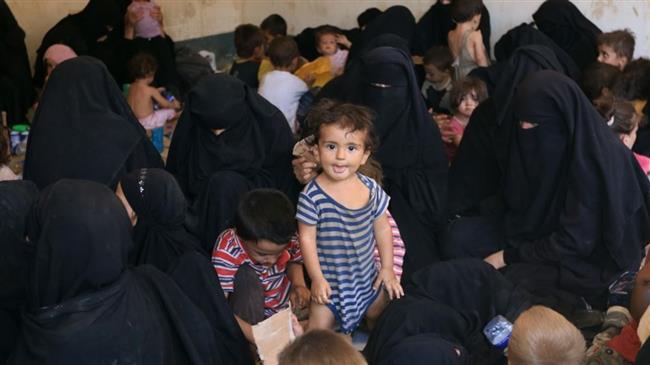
x=85, y=306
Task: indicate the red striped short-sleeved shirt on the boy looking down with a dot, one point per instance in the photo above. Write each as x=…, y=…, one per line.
x=229, y=254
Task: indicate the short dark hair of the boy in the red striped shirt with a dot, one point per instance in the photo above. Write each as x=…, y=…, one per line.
x=266, y=214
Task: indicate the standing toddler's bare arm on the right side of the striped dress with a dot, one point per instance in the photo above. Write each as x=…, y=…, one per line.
x=384, y=238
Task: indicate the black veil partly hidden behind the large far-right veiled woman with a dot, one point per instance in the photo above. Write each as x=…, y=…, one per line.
x=482, y=156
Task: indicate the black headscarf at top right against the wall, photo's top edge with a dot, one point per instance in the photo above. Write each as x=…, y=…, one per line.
x=563, y=22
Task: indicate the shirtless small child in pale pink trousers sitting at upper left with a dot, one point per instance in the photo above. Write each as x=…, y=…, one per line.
x=142, y=96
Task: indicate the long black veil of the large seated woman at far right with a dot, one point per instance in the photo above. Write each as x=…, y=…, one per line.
x=576, y=197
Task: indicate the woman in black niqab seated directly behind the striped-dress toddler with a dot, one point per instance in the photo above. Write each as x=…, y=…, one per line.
x=410, y=149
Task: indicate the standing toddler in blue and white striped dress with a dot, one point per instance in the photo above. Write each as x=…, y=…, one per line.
x=341, y=214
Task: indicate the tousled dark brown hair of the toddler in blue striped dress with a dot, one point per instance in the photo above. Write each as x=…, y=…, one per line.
x=349, y=116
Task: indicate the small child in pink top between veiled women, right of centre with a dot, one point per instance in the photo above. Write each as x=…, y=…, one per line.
x=466, y=94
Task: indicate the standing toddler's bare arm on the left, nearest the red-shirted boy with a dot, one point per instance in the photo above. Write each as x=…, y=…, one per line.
x=320, y=289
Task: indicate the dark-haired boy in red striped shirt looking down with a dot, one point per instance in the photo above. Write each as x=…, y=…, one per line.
x=259, y=261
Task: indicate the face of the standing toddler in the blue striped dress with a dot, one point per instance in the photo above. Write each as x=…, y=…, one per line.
x=341, y=151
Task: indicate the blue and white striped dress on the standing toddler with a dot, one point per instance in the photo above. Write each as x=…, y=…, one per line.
x=345, y=243
